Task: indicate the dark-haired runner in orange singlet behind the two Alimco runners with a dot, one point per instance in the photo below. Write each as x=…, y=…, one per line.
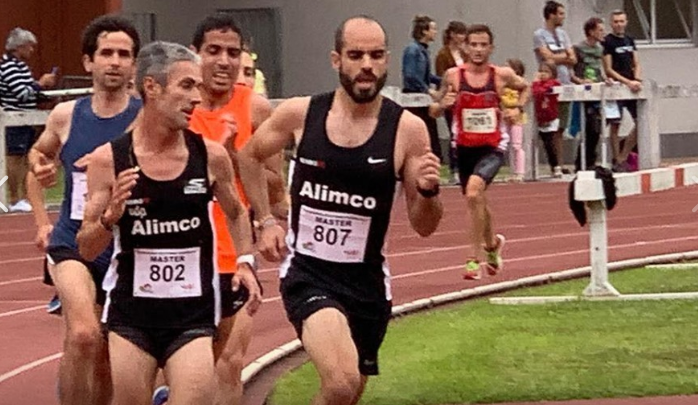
x=235, y=111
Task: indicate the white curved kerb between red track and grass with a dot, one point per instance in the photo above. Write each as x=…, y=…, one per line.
x=266, y=360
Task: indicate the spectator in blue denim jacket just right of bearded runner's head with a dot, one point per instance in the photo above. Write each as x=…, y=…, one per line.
x=416, y=73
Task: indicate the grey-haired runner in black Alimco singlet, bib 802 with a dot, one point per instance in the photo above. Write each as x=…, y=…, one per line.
x=151, y=190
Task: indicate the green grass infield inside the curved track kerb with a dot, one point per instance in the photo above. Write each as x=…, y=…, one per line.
x=478, y=352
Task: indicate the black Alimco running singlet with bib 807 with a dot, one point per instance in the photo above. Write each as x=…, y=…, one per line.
x=341, y=199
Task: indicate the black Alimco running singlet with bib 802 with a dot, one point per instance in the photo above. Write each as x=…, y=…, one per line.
x=162, y=274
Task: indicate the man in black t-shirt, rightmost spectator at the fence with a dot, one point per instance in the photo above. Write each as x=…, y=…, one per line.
x=621, y=63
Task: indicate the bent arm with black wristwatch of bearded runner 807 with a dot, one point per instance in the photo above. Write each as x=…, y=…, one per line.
x=420, y=170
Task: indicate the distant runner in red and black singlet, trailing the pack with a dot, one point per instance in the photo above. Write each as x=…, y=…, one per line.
x=473, y=90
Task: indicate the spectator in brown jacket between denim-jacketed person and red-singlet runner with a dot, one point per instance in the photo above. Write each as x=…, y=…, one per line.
x=451, y=55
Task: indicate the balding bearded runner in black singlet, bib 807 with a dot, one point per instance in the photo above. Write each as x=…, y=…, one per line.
x=353, y=146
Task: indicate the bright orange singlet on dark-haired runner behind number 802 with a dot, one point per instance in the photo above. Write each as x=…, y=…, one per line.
x=212, y=127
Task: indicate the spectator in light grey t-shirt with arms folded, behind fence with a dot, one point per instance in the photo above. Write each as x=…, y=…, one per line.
x=552, y=44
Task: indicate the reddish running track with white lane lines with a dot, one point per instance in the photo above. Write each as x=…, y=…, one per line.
x=542, y=236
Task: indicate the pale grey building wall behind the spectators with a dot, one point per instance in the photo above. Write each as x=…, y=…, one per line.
x=307, y=28
